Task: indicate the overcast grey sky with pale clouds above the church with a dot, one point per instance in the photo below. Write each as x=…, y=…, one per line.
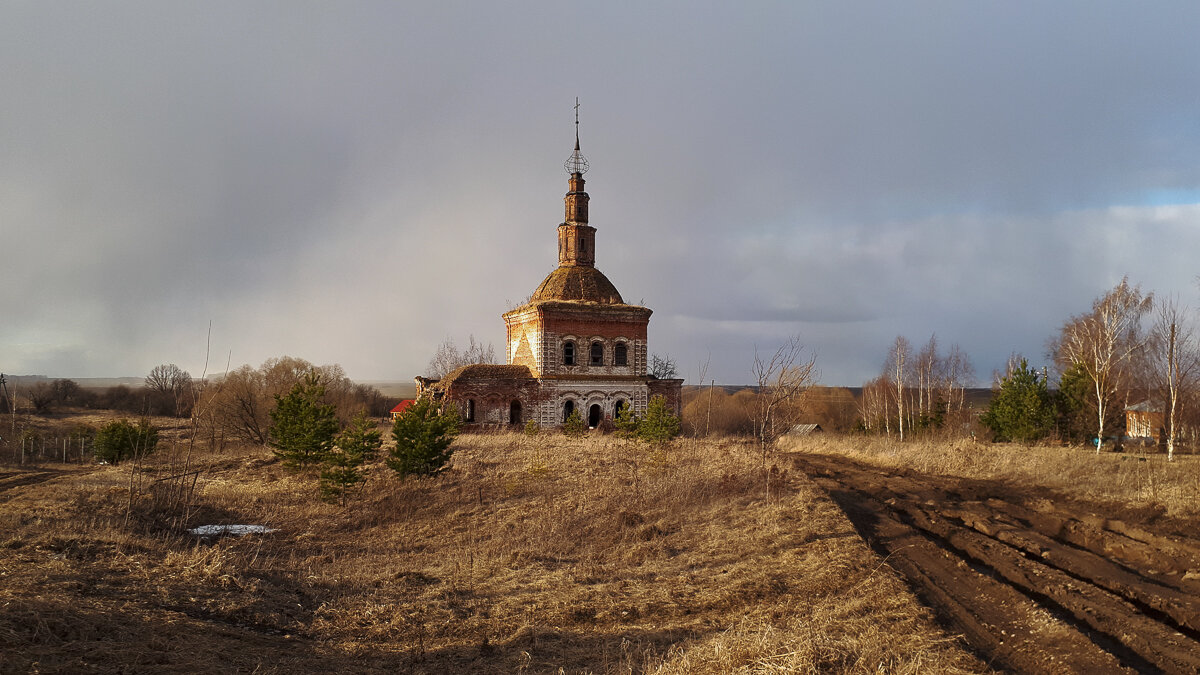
x=355, y=183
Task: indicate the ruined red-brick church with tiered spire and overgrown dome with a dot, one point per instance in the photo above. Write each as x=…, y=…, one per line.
x=575, y=345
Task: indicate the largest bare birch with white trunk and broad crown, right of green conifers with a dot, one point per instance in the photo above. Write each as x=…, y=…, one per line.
x=1105, y=343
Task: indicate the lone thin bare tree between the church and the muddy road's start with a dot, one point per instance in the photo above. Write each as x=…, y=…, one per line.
x=782, y=381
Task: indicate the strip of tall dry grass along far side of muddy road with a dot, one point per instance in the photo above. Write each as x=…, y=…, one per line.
x=1135, y=480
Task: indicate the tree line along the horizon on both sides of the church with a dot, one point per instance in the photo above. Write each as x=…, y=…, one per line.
x=1125, y=350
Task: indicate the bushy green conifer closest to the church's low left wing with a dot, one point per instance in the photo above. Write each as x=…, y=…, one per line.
x=423, y=435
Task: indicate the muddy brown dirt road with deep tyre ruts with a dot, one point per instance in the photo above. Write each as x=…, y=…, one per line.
x=1036, y=584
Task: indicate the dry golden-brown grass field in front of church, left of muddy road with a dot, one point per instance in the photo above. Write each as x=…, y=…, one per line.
x=531, y=555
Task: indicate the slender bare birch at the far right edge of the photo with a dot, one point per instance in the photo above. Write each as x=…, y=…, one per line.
x=1177, y=365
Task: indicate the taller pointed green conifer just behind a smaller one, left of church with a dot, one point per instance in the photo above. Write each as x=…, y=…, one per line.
x=303, y=427
